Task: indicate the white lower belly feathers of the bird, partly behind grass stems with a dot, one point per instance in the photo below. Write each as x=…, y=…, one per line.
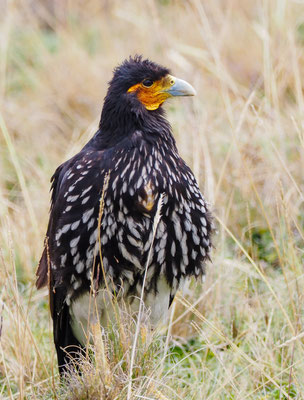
x=88, y=310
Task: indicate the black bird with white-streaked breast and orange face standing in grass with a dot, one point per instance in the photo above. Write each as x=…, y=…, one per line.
x=101, y=233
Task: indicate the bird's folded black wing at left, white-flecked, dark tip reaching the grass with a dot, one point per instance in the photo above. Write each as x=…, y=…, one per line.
x=76, y=190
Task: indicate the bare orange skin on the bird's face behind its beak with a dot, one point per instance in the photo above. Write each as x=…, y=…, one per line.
x=153, y=96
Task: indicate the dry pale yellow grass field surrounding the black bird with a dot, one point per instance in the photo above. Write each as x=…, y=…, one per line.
x=238, y=336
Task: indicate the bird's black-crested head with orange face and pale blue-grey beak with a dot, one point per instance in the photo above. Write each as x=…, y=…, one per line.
x=140, y=87
